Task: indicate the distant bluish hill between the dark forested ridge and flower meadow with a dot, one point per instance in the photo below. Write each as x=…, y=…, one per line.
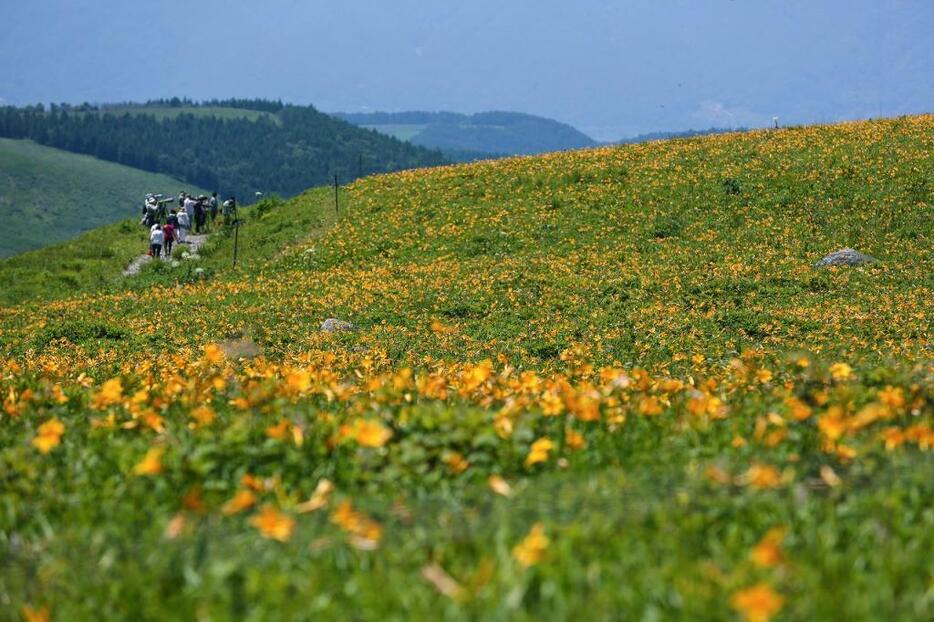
x=462, y=137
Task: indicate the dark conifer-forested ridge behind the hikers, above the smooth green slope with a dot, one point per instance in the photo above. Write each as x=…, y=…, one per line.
x=285, y=151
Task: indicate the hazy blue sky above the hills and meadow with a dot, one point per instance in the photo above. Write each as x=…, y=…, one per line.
x=613, y=69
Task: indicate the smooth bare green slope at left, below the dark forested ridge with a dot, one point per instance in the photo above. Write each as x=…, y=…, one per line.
x=48, y=195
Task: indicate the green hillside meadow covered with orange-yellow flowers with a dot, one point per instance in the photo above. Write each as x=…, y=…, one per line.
x=605, y=383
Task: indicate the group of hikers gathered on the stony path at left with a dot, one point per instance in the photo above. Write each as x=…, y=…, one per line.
x=167, y=226
